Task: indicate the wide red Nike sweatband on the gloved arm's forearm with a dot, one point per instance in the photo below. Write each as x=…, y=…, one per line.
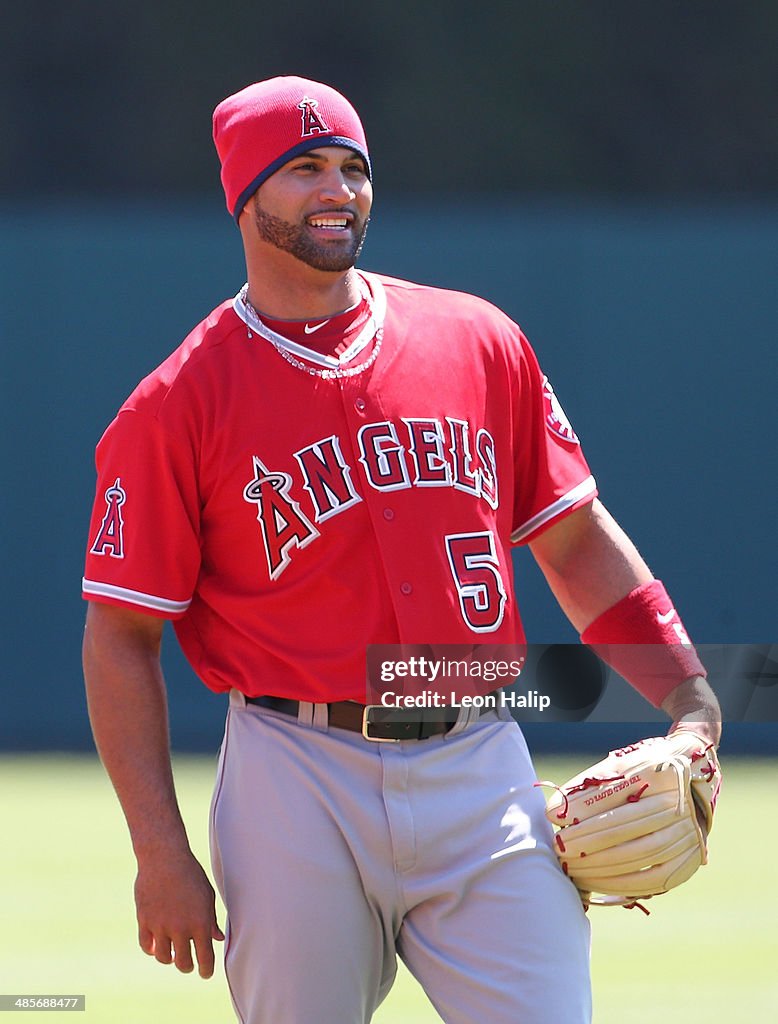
x=643, y=639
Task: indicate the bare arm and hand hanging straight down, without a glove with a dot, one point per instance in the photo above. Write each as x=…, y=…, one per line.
x=176, y=903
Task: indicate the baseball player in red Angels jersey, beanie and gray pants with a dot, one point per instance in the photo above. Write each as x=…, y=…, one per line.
x=332, y=460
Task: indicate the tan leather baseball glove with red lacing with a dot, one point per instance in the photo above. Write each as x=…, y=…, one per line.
x=636, y=825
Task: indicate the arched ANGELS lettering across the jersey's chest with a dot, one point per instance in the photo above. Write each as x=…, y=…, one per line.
x=423, y=453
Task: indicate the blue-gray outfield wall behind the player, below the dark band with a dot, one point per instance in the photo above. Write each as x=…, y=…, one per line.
x=656, y=323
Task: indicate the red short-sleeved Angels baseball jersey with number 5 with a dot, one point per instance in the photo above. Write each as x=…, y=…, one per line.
x=286, y=517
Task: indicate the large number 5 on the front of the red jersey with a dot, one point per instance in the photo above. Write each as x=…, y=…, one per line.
x=476, y=568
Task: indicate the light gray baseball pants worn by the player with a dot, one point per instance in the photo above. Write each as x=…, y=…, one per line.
x=335, y=855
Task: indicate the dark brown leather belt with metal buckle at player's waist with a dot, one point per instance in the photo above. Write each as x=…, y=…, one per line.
x=376, y=722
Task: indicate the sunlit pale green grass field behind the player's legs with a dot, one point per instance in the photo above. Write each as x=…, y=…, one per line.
x=706, y=954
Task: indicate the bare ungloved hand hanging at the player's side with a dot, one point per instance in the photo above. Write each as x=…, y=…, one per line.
x=177, y=907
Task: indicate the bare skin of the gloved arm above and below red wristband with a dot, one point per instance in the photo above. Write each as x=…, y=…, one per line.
x=592, y=567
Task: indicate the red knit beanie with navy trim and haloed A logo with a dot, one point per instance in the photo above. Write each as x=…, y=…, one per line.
x=260, y=130
